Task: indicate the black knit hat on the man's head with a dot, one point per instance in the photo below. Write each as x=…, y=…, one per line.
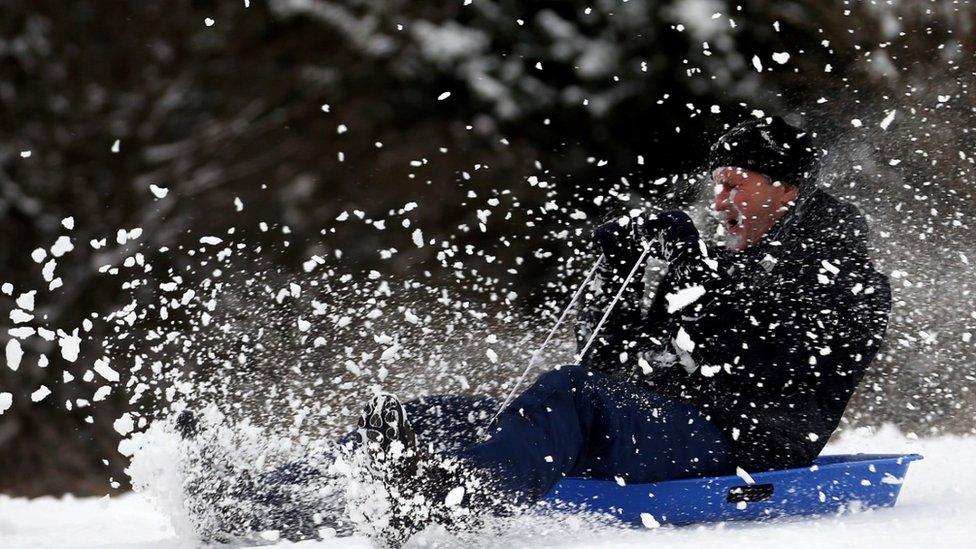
x=769, y=146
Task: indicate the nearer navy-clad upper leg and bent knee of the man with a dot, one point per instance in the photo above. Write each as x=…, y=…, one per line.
x=576, y=422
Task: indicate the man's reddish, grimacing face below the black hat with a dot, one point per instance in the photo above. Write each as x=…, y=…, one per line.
x=748, y=204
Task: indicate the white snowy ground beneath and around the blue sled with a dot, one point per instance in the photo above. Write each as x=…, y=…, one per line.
x=937, y=508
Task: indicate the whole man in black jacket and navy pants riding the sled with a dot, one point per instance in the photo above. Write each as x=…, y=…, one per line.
x=746, y=358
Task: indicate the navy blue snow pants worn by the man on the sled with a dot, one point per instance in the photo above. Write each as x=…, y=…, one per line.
x=570, y=422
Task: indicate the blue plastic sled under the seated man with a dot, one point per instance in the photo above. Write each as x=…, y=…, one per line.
x=834, y=484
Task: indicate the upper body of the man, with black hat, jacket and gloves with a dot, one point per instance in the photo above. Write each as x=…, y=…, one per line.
x=789, y=315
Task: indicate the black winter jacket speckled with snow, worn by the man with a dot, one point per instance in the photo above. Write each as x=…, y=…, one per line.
x=769, y=343
